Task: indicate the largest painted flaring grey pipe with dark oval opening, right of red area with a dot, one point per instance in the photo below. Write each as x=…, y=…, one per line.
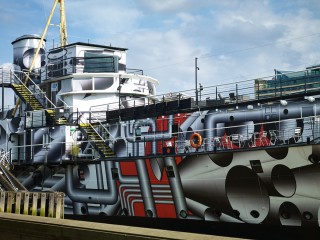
x=234, y=190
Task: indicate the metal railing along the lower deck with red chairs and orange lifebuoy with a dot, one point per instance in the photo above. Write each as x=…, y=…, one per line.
x=232, y=138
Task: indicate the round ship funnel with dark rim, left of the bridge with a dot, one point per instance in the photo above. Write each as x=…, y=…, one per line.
x=24, y=49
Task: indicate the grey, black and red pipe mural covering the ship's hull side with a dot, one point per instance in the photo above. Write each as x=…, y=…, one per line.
x=160, y=175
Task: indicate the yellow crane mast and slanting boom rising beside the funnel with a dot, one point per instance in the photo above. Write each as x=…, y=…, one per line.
x=63, y=39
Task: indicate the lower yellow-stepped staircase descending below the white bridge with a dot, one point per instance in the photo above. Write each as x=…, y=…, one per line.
x=97, y=139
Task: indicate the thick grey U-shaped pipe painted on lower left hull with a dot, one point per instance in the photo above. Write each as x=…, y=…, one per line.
x=109, y=196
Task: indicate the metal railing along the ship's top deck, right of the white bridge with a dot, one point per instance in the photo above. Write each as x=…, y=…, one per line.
x=303, y=82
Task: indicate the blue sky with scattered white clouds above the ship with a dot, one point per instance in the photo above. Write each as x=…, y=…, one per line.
x=234, y=40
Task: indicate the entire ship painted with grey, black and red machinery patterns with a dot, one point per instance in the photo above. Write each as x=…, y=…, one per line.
x=83, y=123
